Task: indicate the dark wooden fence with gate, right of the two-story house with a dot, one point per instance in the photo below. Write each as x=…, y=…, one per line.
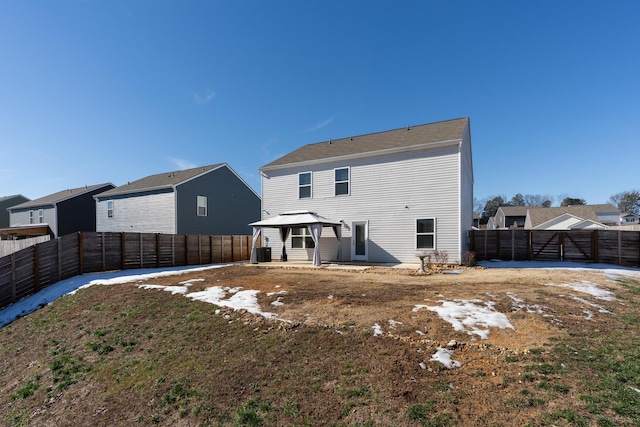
x=597, y=246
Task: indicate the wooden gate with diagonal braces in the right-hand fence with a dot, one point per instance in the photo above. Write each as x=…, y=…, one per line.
x=574, y=246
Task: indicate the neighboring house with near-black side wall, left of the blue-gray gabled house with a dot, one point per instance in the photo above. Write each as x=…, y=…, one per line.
x=64, y=212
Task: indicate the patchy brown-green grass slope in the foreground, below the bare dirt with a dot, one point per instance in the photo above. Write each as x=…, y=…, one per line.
x=136, y=357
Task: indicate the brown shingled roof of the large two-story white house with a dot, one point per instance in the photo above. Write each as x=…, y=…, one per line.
x=380, y=142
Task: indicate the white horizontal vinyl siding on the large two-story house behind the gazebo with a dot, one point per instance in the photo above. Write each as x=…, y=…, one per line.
x=388, y=191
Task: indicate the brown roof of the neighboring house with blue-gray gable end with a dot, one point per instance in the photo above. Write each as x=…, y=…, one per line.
x=161, y=181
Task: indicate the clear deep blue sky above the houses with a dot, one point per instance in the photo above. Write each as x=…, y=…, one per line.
x=113, y=91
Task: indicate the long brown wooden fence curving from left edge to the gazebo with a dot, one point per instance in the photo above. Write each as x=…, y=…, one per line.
x=32, y=269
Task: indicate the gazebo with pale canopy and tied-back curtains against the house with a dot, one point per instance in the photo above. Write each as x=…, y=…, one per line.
x=295, y=219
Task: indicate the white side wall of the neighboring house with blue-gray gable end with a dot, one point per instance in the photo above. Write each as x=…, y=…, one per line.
x=149, y=213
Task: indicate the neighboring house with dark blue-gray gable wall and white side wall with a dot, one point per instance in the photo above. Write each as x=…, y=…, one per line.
x=205, y=200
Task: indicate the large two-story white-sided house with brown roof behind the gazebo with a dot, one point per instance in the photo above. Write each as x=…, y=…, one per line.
x=396, y=193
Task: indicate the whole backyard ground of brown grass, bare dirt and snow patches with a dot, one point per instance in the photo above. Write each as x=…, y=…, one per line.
x=322, y=346
